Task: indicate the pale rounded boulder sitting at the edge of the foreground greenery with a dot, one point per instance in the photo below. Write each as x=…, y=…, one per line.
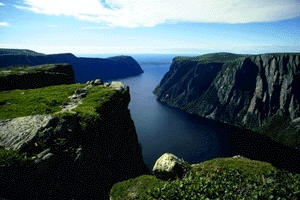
x=168, y=167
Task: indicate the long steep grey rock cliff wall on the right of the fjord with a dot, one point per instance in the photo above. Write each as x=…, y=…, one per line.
x=259, y=92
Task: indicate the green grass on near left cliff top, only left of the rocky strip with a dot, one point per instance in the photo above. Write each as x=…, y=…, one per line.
x=19, y=103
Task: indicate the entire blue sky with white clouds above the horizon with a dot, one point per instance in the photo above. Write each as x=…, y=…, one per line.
x=150, y=26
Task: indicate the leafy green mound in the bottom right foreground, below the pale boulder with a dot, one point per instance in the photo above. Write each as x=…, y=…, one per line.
x=221, y=178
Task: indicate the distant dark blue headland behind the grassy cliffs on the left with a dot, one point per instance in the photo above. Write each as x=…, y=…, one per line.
x=85, y=68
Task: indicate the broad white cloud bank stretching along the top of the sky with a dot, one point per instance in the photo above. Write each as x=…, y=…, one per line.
x=136, y=13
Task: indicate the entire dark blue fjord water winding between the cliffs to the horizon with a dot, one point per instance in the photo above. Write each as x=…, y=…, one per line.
x=162, y=129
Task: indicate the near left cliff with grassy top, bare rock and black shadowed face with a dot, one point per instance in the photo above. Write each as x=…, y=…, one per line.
x=67, y=142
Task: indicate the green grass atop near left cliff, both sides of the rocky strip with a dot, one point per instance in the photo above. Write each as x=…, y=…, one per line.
x=47, y=100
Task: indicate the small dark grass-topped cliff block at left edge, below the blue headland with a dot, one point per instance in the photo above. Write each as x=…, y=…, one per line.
x=36, y=76
